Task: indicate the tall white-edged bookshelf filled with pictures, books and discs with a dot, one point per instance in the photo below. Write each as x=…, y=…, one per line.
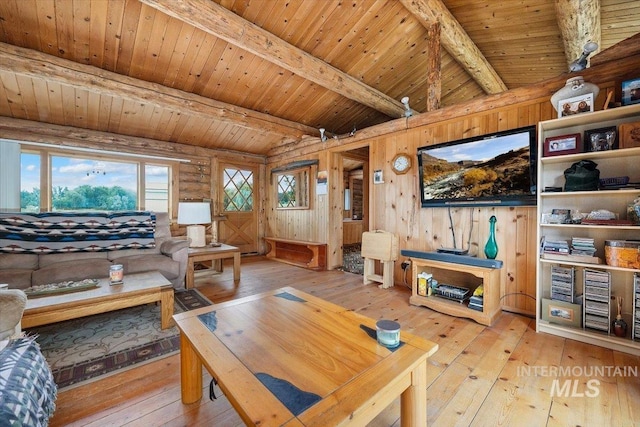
x=613, y=163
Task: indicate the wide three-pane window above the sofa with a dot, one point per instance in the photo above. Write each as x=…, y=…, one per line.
x=84, y=182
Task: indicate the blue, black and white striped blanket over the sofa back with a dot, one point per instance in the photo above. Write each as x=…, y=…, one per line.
x=64, y=232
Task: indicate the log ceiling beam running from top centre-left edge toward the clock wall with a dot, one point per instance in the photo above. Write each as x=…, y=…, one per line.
x=214, y=19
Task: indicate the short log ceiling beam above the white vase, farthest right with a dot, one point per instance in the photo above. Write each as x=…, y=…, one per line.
x=579, y=22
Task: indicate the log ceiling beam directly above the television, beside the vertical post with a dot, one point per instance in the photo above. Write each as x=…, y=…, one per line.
x=457, y=42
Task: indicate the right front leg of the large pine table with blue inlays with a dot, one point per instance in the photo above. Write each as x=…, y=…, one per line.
x=413, y=402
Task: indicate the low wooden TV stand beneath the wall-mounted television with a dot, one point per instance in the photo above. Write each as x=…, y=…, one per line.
x=464, y=275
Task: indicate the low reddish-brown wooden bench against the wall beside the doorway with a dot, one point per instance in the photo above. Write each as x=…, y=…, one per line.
x=311, y=255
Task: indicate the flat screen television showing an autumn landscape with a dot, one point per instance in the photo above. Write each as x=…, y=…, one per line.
x=497, y=169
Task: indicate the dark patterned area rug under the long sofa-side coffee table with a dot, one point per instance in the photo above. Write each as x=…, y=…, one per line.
x=82, y=349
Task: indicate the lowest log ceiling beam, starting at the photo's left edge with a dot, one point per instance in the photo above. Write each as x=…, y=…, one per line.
x=36, y=64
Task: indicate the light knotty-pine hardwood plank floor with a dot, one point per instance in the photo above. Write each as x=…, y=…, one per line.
x=498, y=375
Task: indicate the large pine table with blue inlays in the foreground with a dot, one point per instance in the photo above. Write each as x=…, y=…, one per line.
x=288, y=358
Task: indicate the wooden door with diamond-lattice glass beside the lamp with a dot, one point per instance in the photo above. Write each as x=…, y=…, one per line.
x=238, y=198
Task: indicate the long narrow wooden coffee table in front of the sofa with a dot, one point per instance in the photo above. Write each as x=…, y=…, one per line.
x=137, y=289
